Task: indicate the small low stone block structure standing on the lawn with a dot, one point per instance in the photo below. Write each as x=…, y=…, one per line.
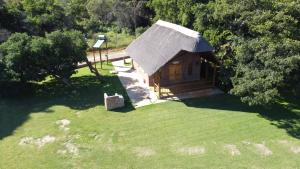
x=113, y=102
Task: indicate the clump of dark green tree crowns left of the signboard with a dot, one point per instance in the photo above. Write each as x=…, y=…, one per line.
x=33, y=58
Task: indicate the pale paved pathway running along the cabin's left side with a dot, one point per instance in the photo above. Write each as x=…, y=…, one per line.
x=138, y=92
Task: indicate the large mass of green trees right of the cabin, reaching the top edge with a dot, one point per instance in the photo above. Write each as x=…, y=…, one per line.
x=258, y=43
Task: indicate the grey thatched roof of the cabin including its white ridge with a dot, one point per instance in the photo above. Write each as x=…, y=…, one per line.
x=161, y=42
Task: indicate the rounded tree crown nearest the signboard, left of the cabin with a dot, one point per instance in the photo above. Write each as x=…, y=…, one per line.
x=67, y=49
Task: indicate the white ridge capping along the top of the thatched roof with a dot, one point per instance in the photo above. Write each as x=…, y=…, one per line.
x=179, y=28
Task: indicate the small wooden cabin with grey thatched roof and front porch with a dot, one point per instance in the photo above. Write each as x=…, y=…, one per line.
x=173, y=59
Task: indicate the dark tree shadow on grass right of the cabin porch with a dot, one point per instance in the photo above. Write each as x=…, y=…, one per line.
x=284, y=116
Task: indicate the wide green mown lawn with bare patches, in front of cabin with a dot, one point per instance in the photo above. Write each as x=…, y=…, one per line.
x=197, y=133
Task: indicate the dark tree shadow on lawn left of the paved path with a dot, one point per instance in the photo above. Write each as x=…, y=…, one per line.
x=86, y=92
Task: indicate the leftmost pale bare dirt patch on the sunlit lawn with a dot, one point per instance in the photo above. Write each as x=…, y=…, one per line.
x=39, y=142
